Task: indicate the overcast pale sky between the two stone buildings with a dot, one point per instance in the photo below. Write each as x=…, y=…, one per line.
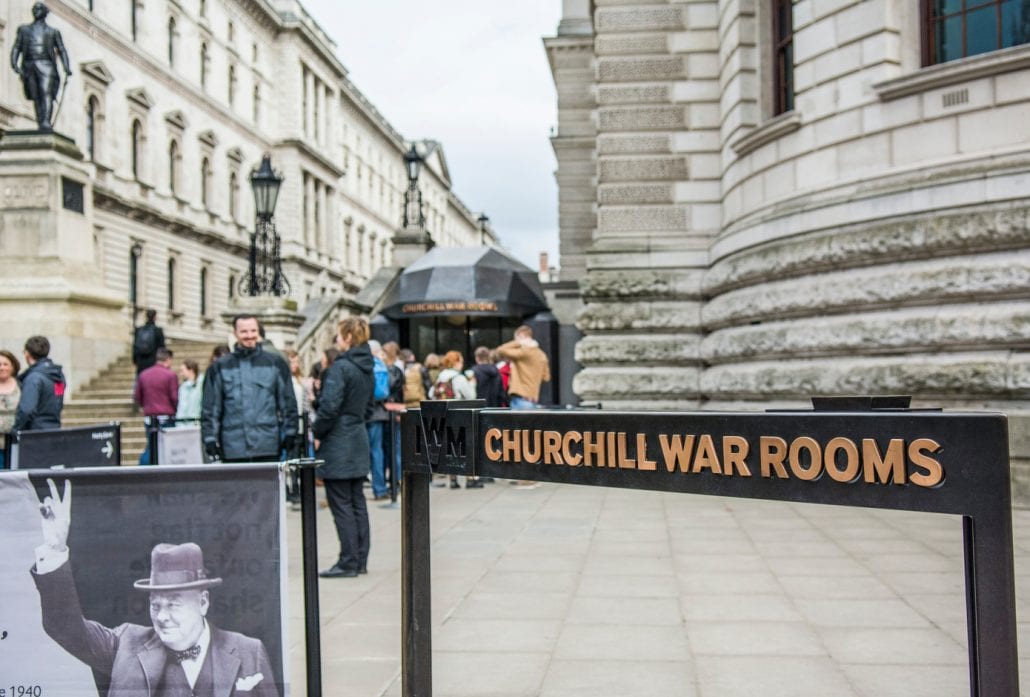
x=472, y=75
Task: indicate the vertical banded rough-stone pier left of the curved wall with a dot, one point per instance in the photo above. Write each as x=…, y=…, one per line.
x=658, y=92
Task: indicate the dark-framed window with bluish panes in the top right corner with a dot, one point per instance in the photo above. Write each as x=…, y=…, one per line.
x=962, y=28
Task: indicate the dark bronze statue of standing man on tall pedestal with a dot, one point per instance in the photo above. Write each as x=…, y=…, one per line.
x=39, y=46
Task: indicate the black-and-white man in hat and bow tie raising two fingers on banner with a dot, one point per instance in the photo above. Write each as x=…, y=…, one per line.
x=180, y=654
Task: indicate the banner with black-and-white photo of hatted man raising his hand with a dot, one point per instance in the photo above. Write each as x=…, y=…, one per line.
x=156, y=583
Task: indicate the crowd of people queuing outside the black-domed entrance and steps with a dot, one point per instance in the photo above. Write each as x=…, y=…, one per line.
x=255, y=404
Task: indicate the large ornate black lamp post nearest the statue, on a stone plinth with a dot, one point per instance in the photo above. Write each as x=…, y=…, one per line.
x=265, y=271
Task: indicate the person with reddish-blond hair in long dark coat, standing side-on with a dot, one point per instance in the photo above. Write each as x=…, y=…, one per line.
x=345, y=405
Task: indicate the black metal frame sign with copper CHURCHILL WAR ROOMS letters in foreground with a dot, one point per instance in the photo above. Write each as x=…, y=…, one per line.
x=894, y=459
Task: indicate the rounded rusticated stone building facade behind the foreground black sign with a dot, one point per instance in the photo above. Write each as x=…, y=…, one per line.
x=766, y=200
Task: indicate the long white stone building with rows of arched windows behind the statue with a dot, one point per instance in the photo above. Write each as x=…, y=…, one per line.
x=173, y=104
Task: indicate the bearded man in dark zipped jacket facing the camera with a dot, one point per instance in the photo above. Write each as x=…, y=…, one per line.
x=250, y=411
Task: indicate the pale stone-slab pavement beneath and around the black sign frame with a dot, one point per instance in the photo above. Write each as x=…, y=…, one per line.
x=572, y=591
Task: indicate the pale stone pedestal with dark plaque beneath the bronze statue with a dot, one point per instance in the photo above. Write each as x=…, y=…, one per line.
x=51, y=285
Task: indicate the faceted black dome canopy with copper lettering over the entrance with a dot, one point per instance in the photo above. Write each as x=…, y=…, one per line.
x=478, y=282
